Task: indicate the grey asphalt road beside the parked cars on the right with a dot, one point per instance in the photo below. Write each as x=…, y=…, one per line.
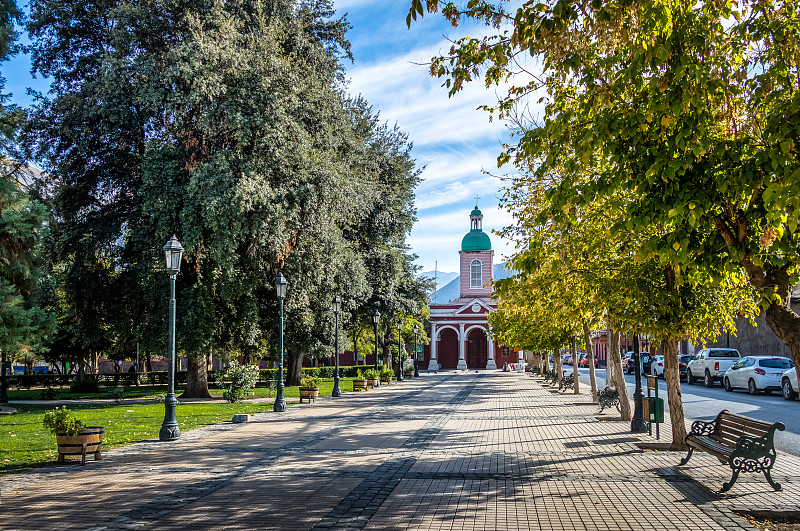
x=702, y=403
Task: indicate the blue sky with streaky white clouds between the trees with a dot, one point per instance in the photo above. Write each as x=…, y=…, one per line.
x=453, y=141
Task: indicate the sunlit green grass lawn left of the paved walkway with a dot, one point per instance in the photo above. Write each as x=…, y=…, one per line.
x=25, y=443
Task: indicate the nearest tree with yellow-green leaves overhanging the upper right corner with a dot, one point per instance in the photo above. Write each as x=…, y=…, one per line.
x=689, y=108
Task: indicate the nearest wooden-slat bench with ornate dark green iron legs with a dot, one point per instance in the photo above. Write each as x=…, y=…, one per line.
x=745, y=444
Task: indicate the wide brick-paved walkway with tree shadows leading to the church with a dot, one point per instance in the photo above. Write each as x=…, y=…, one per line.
x=444, y=451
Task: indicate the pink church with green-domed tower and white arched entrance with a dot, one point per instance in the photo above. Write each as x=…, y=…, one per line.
x=459, y=330
